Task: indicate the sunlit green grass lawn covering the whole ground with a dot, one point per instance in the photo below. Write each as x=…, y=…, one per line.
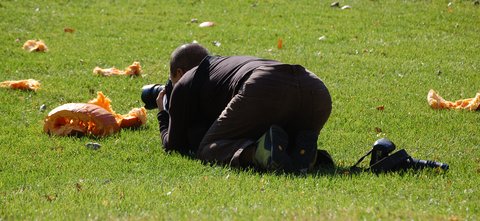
x=377, y=53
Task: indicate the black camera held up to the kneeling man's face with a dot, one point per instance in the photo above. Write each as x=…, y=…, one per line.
x=150, y=93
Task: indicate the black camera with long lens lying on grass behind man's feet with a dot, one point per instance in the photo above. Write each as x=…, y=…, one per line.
x=383, y=161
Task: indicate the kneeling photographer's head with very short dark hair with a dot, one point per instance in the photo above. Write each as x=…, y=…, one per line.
x=185, y=58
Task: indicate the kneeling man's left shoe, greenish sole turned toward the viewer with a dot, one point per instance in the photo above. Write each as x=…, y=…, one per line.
x=271, y=152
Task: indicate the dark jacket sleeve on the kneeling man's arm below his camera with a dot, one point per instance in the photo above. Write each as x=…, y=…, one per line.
x=173, y=124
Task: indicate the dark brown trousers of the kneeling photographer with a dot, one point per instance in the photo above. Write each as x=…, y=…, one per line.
x=285, y=95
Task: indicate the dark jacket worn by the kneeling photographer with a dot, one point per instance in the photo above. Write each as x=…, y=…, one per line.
x=203, y=92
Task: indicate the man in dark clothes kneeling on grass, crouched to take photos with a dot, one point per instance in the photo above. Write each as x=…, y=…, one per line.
x=243, y=111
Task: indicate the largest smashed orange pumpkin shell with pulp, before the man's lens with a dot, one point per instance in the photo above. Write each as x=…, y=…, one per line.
x=93, y=118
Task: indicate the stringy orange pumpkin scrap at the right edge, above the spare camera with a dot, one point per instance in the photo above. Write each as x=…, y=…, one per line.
x=437, y=102
